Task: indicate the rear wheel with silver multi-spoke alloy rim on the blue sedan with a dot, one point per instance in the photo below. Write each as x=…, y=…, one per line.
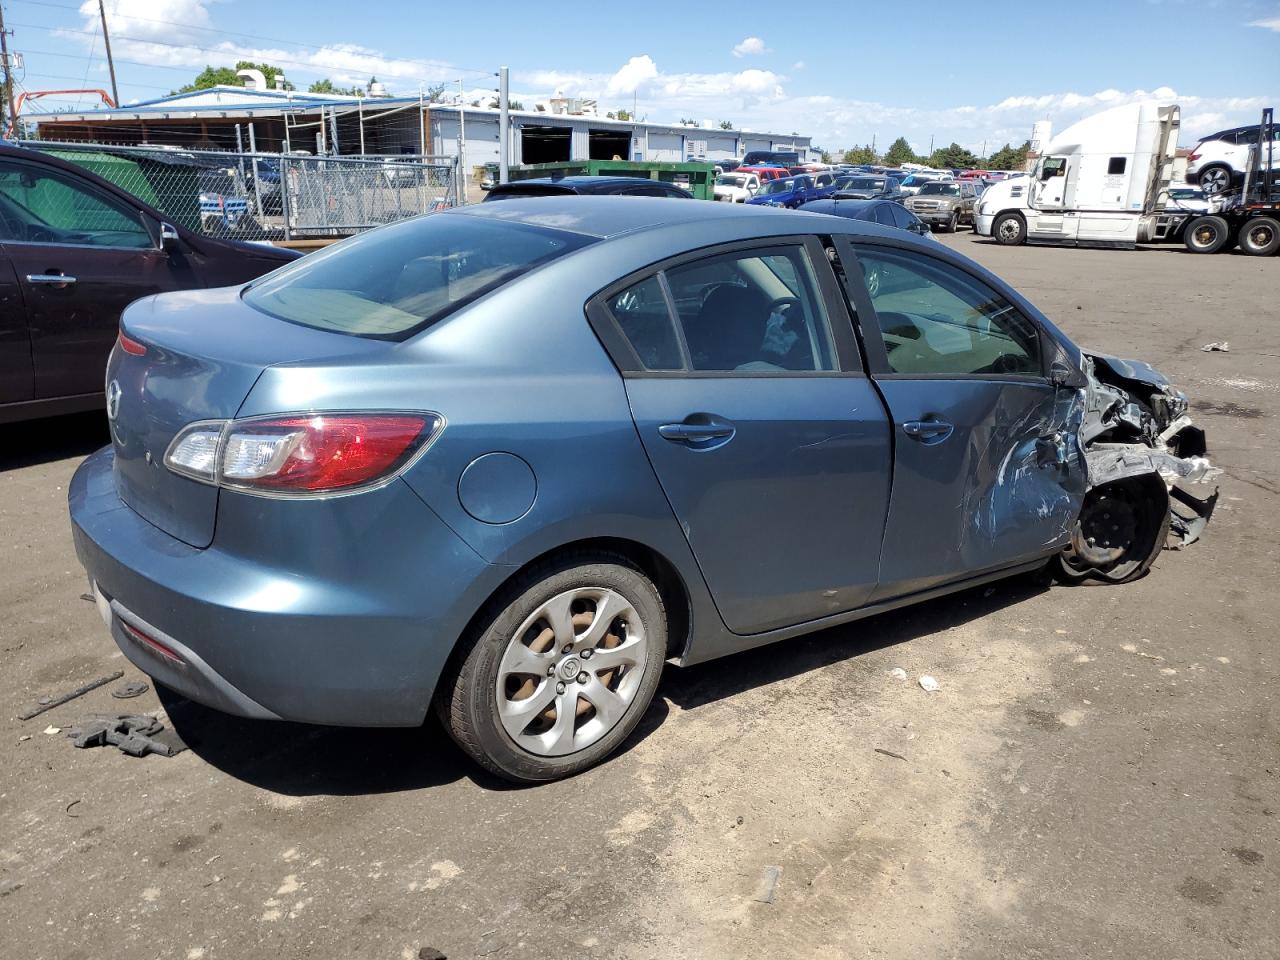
x=587, y=682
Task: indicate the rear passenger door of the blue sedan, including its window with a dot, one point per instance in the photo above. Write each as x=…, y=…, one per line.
x=761, y=426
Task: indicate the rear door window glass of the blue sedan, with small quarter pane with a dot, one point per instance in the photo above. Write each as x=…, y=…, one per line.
x=748, y=313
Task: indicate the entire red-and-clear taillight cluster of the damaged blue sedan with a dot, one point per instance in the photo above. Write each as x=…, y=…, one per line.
x=303, y=454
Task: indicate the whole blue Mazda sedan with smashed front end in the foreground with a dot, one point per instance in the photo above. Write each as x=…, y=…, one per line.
x=509, y=460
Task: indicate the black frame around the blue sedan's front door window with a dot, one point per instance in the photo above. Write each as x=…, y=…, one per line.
x=870, y=332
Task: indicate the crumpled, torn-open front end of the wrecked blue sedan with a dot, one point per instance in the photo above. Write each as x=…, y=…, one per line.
x=1142, y=454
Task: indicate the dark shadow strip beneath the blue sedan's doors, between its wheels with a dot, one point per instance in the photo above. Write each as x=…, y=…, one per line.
x=708, y=683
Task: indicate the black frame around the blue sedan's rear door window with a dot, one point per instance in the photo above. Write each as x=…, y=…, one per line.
x=840, y=324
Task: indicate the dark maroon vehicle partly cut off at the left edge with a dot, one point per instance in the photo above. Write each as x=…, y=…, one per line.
x=75, y=252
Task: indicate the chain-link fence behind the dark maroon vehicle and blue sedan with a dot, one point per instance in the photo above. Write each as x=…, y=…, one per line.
x=271, y=196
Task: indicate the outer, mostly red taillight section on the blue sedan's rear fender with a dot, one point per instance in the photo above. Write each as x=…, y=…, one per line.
x=322, y=452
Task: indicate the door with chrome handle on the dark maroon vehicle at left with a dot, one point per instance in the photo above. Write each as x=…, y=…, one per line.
x=81, y=255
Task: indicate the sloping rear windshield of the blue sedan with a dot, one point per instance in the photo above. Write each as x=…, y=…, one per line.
x=396, y=281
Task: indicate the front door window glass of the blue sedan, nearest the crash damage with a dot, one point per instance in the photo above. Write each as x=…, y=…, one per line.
x=938, y=319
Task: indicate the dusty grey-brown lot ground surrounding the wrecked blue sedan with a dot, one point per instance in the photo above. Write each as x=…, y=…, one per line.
x=1098, y=776
